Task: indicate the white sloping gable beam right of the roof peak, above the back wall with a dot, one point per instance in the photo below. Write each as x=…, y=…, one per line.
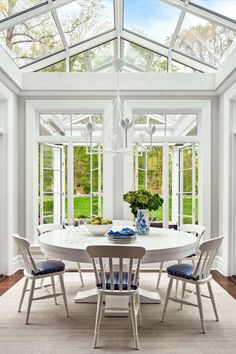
x=157, y=48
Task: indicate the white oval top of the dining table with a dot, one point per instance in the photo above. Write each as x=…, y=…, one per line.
x=158, y=240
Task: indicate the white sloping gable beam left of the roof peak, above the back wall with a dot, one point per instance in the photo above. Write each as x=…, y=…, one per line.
x=79, y=48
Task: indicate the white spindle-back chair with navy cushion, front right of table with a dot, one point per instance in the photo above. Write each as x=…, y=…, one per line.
x=200, y=275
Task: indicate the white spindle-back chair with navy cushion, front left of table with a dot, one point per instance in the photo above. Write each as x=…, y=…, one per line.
x=32, y=272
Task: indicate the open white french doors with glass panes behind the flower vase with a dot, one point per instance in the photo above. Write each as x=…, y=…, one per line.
x=172, y=171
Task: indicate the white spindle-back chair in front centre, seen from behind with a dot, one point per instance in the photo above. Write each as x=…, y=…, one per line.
x=117, y=273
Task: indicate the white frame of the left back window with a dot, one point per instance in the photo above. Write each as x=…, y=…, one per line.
x=33, y=110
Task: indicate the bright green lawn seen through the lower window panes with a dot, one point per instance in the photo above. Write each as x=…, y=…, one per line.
x=82, y=208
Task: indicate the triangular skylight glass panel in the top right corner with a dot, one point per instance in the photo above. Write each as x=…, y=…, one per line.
x=223, y=7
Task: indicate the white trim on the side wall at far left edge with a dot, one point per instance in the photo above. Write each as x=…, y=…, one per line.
x=9, y=178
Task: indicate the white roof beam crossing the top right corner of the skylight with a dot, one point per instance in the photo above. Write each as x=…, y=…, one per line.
x=200, y=12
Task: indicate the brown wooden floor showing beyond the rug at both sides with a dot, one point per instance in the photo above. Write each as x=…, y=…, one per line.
x=226, y=283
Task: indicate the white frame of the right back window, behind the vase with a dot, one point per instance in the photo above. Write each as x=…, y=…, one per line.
x=203, y=109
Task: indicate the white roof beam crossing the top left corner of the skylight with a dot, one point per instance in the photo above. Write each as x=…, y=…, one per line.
x=29, y=14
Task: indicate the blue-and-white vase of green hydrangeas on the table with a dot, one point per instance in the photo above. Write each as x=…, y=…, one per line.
x=140, y=203
